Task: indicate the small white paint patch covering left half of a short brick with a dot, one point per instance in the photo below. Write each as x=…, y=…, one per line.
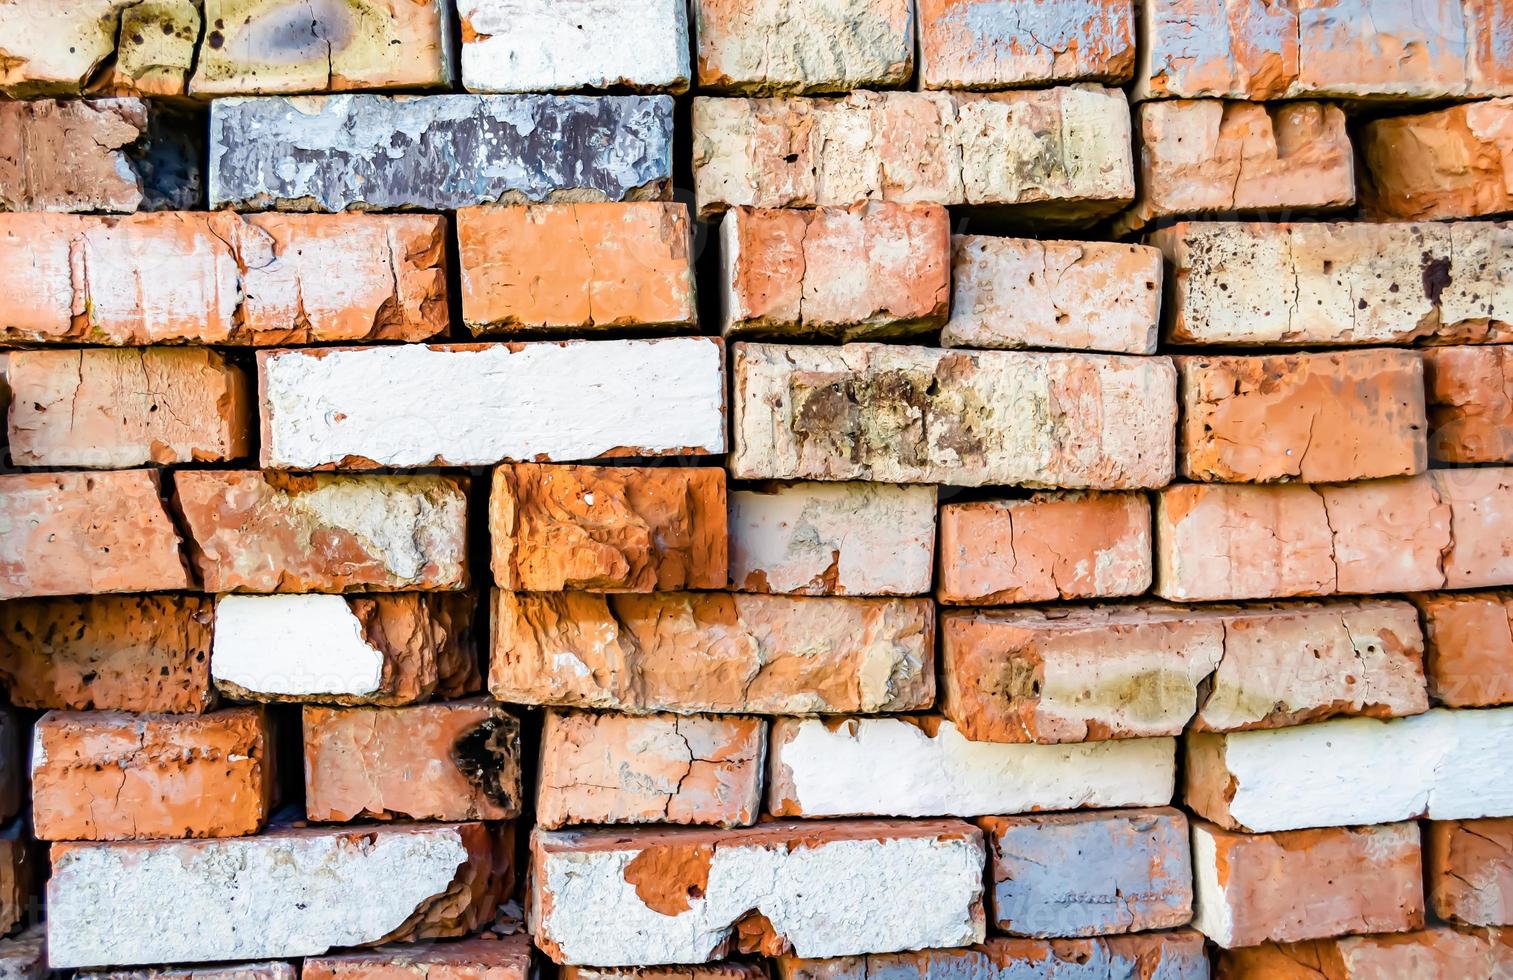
x=293, y=647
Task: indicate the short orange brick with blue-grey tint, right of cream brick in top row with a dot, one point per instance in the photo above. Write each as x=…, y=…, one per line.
x=980, y=45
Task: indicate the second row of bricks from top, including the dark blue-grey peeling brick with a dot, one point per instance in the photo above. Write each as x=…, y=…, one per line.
x=1061, y=155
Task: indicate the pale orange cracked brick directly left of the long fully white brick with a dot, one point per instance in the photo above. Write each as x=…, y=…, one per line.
x=132, y=408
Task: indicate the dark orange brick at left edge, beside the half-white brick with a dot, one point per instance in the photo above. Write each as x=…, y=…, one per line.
x=149, y=654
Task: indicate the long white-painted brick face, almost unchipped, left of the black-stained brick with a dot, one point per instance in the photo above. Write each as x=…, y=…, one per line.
x=421, y=406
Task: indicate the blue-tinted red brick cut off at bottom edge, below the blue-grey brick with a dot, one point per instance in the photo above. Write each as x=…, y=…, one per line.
x=1160, y=957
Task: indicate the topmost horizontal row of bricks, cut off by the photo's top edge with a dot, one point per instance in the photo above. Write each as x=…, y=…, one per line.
x=1191, y=48
